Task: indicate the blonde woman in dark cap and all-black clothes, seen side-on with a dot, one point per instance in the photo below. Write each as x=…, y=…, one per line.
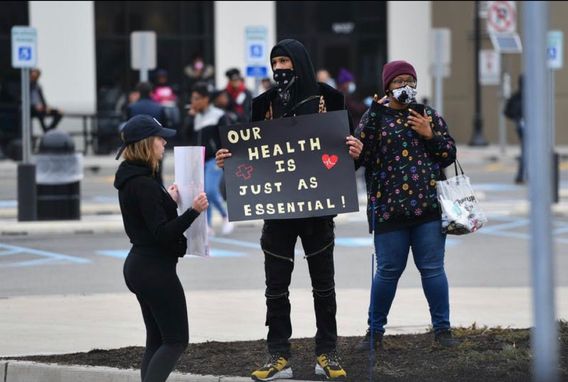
x=149, y=213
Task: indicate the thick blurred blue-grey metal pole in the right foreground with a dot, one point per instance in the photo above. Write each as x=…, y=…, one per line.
x=544, y=336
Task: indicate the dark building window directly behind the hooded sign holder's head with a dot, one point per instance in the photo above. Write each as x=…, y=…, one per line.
x=339, y=34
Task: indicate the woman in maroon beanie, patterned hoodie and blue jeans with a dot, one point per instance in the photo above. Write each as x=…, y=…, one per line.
x=405, y=147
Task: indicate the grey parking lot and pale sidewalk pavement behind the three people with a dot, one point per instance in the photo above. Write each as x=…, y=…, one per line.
x=43, y=316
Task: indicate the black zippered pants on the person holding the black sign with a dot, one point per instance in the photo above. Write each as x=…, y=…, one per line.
x=278, y=241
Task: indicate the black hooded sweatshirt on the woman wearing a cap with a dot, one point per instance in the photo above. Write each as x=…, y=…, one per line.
x=150, y=214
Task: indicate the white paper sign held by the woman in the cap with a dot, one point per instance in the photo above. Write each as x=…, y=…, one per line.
x=189, y=177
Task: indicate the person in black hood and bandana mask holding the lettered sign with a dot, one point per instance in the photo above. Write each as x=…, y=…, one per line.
x=296, y=93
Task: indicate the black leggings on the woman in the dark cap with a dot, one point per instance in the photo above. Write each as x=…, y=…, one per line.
x=161, y=297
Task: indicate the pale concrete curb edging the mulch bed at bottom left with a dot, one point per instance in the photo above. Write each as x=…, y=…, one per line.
x=26, y=371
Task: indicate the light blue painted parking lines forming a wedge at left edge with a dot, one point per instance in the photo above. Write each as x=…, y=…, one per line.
x=45, y=257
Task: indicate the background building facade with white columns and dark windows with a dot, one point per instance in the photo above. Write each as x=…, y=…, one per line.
x=84, y=47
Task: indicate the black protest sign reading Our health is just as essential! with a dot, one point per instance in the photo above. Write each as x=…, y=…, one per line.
x=289, y=168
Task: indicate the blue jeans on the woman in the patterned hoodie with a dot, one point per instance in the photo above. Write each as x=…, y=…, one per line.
x=391, y=250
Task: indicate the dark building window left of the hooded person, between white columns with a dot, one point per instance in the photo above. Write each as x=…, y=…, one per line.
x=183, y=29
